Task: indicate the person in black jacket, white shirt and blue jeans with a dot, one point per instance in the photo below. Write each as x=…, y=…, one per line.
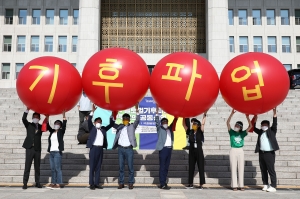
x=55, y=148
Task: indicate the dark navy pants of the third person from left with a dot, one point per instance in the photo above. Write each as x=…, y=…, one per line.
x=96, y=157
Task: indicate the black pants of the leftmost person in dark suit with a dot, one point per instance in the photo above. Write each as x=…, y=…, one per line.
x=30, y=155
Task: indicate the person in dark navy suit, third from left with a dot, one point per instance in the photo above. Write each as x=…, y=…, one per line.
x=97, y=141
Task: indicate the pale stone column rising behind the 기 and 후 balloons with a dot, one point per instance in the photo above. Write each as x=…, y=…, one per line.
x=89, y=31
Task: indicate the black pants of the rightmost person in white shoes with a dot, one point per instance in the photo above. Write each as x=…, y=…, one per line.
x=267, y=165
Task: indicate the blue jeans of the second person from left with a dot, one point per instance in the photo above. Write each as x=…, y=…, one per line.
x=55, y=165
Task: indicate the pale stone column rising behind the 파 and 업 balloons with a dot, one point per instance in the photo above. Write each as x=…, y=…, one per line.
x=217, y=33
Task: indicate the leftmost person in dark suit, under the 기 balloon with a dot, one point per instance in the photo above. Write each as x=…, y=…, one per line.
x=32, y=144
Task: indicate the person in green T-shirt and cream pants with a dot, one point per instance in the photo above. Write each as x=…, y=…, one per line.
x=236, y=156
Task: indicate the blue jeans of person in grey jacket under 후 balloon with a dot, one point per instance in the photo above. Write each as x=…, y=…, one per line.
x=126, y=154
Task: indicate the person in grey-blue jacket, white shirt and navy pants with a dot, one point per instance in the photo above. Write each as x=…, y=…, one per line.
x=164, y=145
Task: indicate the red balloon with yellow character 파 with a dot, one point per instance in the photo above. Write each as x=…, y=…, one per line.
x=184, y=84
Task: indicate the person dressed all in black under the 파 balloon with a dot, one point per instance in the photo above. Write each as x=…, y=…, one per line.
x=196, y=155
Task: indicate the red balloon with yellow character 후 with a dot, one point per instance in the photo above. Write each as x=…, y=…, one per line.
x=115, y=78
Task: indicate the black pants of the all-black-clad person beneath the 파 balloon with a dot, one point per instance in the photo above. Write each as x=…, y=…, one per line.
x=196, y=156
